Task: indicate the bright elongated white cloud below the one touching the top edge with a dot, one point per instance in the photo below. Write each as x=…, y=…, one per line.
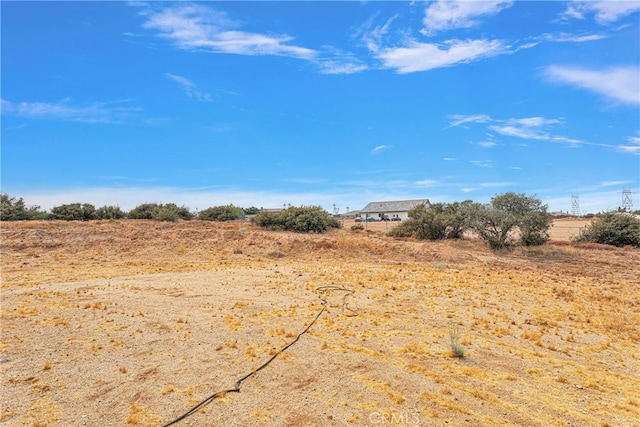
x=416, y=56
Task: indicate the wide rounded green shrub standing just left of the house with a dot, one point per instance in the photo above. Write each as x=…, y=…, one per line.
x=304, y=219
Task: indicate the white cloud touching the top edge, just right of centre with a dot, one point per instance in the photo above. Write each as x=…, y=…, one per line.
x=446, y=15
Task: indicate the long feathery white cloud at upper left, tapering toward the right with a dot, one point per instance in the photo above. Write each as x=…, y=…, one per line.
x=195, y=27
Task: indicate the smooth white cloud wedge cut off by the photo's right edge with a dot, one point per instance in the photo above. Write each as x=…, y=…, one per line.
x=619, y=83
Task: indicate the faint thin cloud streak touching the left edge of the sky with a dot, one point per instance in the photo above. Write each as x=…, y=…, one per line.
x=96, y=112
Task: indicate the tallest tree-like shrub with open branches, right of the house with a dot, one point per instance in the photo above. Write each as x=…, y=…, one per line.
x=507, y=216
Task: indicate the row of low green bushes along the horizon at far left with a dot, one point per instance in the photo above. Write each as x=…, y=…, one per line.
x=15, y=209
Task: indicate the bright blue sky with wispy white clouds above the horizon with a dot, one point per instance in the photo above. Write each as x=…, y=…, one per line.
x=320, y=103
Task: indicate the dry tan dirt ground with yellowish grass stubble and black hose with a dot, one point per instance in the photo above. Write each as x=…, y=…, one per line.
x=118, y=323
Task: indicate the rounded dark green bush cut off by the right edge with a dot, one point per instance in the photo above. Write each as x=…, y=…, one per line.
x=617, y=229
